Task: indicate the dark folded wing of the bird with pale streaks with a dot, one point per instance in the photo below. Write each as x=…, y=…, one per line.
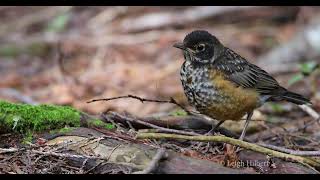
x=245, y=74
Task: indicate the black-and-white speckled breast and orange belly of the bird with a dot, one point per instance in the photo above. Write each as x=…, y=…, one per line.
x=211, y=94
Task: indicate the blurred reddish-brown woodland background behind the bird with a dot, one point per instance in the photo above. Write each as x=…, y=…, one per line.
x=112, y=51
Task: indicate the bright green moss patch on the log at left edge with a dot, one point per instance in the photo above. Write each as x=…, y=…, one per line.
x=23, y=117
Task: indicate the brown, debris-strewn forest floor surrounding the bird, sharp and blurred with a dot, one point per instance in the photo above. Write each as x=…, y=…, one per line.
x=116, y=51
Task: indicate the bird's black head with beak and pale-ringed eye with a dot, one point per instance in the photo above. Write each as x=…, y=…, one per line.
x=200, y=46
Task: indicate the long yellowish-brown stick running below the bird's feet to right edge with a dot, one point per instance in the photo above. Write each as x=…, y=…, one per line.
x=235, y=142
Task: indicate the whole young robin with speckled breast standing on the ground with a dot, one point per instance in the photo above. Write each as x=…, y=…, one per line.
x=223, y=85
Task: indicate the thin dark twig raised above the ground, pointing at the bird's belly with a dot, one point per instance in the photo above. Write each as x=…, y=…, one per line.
x=172, y=101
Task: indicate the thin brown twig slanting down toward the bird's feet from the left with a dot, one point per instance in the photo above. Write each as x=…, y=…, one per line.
x=162, y=129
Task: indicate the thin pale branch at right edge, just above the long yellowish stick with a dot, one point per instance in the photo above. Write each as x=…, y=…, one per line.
x=290, y=151
